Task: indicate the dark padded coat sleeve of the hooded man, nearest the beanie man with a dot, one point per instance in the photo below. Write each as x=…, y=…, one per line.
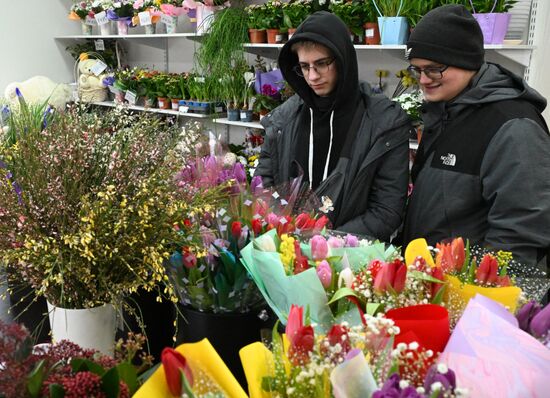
x=387, y=196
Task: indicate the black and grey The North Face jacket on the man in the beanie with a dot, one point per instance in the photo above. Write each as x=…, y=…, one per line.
x=507, y=204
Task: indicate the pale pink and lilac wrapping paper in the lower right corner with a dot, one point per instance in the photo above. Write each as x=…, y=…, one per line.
x=492, y=357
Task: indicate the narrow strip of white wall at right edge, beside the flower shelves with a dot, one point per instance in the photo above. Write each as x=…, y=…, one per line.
x=539, y=76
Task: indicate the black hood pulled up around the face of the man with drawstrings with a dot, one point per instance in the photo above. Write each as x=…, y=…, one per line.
x=327, y=29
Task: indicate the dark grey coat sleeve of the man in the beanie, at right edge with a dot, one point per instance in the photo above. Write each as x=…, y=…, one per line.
x=515, y=179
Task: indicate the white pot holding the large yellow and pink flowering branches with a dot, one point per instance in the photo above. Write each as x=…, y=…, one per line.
x=89, y=328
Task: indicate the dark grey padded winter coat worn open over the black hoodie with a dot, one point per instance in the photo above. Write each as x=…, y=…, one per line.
x=372, y=185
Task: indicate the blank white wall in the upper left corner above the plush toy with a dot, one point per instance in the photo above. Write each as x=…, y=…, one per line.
x=27, y=29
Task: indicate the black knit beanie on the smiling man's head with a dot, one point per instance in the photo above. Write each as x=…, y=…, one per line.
x=449, y=35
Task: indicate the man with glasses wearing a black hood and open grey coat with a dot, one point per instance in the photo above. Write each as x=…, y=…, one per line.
x=351, y=145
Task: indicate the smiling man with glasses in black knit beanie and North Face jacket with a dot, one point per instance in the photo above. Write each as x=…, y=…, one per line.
x=482, y=169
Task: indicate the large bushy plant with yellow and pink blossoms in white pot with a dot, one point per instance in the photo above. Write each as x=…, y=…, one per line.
x=90, y=210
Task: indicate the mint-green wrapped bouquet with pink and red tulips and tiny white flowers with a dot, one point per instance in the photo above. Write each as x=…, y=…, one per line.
x=337, y=277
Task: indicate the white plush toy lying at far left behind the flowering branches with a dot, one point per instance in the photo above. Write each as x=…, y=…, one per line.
x=37, y=90
